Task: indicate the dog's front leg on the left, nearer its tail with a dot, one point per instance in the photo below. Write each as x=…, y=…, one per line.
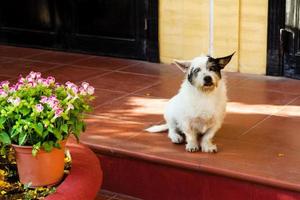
x=191, y=138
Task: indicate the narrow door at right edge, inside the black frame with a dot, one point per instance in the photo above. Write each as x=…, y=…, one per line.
x=290, y=38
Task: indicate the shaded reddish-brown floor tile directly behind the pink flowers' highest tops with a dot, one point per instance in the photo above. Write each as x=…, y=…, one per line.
x=74, y=73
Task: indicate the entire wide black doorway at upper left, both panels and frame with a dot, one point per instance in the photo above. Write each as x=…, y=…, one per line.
x=127, y=28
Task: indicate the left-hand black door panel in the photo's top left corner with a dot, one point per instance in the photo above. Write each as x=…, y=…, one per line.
x=28, y=22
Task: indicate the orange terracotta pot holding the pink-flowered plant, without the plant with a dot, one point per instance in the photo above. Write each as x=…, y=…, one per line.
x=45, y=169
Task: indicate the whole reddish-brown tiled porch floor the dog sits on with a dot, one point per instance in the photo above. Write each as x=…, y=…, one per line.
x=259, y=140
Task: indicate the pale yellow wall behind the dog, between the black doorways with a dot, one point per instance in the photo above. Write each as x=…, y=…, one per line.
x=239, y=25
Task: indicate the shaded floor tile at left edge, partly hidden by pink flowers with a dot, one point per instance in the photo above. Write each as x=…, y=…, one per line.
x=15, y=67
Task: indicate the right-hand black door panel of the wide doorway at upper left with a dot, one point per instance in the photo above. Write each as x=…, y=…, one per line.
x=111, y=27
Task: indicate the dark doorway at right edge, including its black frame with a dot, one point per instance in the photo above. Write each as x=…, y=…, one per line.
x=284, y=38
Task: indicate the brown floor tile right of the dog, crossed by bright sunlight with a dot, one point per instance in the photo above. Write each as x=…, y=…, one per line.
x=246, y=108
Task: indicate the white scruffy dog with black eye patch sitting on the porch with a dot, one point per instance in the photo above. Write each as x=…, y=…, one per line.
x=200, y=105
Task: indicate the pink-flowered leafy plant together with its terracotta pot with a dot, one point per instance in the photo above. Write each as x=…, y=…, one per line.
x=37, y=116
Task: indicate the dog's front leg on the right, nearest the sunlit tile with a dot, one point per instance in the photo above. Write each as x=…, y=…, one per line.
x=206, y=143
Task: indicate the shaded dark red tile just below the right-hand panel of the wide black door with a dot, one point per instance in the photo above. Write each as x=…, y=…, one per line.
x=107, y=63
